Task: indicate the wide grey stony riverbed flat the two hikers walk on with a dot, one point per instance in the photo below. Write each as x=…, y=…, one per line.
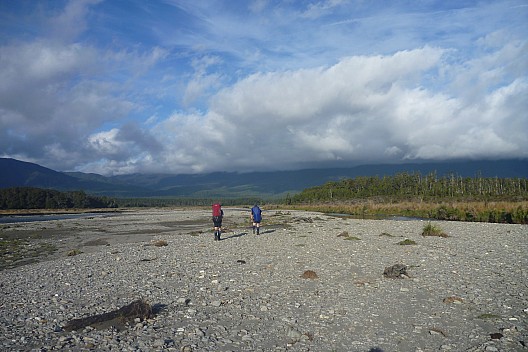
x=308, y=282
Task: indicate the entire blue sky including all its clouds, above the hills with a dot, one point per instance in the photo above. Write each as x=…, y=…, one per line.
x=172, y=86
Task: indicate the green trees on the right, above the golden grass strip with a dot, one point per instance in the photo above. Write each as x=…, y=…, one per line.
x=414, y=186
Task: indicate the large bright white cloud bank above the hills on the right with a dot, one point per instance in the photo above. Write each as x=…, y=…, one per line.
x=361, y=109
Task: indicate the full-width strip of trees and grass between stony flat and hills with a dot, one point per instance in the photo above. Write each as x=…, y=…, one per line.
x=451, y=197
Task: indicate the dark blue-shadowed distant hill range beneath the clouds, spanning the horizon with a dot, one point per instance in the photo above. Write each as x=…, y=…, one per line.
x=17, y=173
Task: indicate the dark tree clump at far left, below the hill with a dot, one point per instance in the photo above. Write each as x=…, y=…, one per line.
x=37, y=198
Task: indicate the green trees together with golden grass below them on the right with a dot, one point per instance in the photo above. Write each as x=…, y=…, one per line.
x=500, y=200
